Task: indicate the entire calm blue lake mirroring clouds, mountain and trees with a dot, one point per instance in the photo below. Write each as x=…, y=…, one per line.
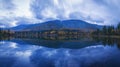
x=87, y=52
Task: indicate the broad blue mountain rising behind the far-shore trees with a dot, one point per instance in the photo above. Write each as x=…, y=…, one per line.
x=57, y=24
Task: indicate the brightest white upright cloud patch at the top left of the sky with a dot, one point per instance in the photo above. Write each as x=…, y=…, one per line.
x=23, y=8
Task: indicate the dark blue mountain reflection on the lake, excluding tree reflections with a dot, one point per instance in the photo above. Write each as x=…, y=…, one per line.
x=71, y=44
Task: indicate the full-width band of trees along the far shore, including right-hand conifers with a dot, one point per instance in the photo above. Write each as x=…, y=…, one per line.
x=105, y=31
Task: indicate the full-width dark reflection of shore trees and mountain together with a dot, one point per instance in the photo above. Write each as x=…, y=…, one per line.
x=64, y=41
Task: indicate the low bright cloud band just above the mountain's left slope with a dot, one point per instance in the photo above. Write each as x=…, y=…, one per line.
x=15, y=21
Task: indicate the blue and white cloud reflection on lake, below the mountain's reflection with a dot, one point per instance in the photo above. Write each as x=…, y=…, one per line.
x=39, y=56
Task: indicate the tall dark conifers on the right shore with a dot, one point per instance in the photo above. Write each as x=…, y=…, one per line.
x=108, y=30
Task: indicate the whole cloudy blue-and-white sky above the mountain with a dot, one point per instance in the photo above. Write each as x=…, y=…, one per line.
x=18, y=12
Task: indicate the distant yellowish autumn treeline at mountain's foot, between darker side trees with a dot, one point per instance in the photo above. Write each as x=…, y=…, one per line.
x=49, y=33
